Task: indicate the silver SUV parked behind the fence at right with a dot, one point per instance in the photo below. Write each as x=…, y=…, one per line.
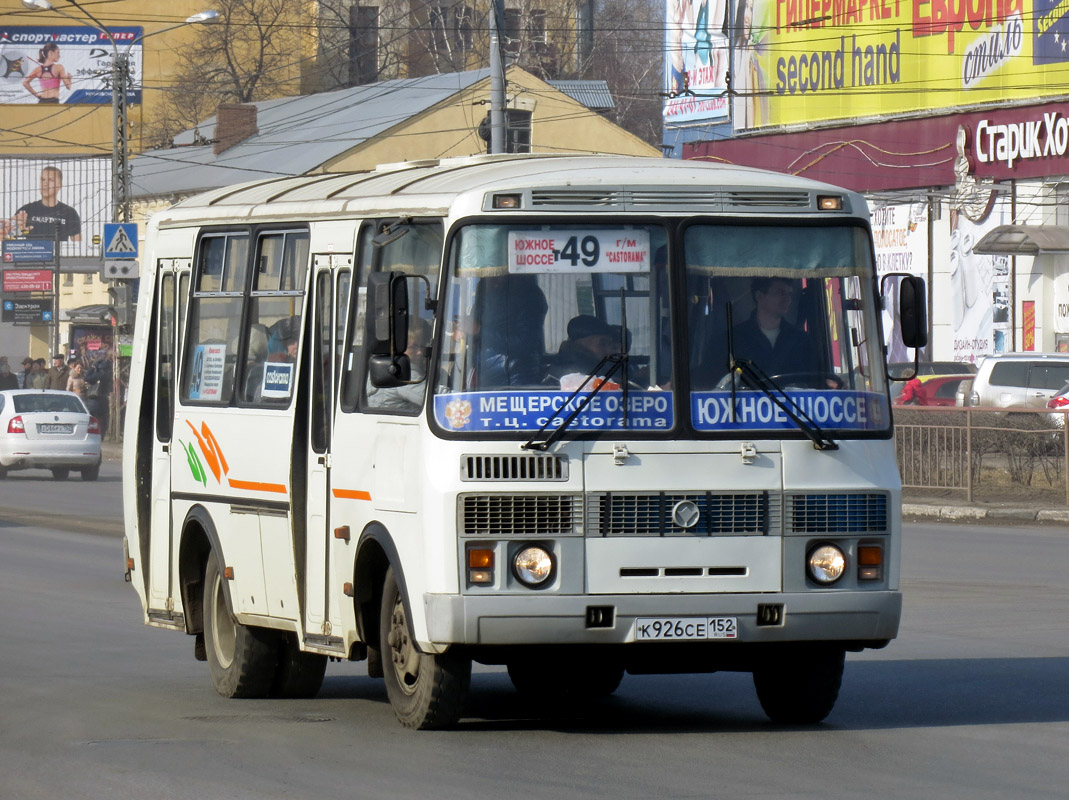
x=1024, y=380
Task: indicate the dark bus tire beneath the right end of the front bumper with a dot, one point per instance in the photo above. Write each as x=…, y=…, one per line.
x=802, y=688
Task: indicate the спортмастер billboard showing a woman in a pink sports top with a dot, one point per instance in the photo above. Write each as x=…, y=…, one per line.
x=47, y=65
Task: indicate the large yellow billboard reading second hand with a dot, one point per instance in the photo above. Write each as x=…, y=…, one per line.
x=801, y=63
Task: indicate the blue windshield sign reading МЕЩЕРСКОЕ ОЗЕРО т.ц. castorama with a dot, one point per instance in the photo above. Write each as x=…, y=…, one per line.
x=529, y=411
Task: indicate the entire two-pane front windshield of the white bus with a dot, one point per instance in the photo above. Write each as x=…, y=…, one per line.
x=536, y=317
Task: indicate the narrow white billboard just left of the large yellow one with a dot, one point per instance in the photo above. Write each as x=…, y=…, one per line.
x=696, y=61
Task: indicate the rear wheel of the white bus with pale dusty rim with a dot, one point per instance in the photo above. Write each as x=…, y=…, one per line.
x=241, y=660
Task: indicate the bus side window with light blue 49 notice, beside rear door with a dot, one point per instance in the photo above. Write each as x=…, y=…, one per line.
x=215, y=325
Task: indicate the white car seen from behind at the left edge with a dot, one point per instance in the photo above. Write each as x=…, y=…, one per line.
x=49, y=430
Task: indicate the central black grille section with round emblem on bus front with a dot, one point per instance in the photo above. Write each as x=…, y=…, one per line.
x=654, y=514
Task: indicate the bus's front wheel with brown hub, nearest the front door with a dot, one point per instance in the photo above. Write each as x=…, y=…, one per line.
x=426, y=690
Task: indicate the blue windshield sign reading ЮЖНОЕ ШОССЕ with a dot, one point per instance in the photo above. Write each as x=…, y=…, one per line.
x=841, y=410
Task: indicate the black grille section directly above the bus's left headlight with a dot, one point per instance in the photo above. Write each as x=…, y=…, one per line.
x=521, y=515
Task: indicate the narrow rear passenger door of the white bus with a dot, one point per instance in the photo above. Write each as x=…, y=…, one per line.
x=173, y=287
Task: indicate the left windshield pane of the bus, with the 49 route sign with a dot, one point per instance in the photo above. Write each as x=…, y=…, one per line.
x=534, y=312
